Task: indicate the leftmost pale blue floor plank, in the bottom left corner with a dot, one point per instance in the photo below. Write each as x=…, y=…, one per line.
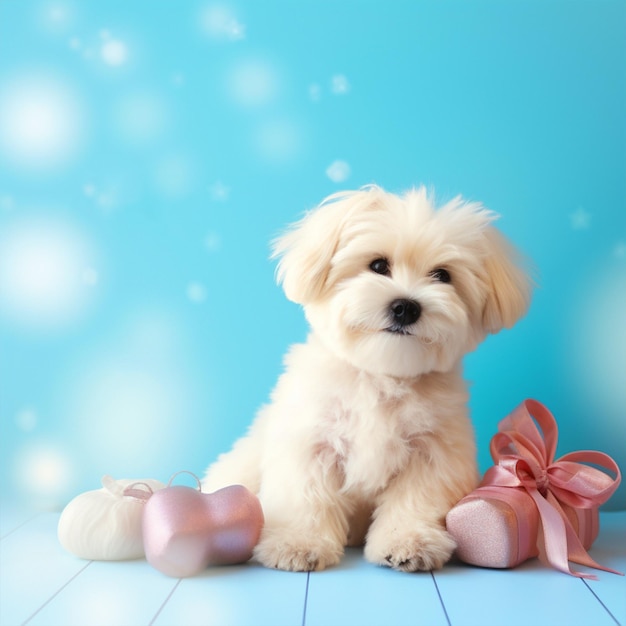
x=33, y=567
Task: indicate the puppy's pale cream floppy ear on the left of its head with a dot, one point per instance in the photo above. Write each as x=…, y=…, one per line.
x=306, y=250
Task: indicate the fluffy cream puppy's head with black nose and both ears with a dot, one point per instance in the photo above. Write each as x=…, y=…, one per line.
x=396, y=287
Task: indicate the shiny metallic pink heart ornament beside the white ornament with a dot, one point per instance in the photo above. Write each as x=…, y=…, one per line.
x=185, y=530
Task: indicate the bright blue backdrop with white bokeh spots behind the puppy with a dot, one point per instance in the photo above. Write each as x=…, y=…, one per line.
x=150, y=150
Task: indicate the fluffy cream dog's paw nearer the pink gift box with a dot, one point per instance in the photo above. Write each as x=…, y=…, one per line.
x=420, y=550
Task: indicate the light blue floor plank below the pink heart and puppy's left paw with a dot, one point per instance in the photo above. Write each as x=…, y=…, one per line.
x=242, y=595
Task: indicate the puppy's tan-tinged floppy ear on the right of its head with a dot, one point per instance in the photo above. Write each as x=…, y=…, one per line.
x=509, y=286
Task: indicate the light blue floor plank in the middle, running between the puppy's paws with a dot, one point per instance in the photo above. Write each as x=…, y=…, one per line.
x=357, y=593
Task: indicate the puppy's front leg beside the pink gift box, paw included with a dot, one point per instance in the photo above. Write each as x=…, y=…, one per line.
x=408, y=530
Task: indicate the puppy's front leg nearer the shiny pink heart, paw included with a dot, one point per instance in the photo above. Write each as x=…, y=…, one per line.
x=305, y=519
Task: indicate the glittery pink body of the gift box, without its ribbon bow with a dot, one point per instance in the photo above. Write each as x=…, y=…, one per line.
x=499, y=530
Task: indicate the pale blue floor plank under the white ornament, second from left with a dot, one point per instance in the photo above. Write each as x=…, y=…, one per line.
x=108, y=594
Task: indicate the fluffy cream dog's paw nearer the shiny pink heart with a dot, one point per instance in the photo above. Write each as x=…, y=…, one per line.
x=297, y=553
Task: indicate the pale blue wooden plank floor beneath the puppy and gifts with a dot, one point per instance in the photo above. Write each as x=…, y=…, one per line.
x=40, y=584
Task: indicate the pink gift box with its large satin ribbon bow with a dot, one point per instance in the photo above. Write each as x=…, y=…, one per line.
x=529, y=504
